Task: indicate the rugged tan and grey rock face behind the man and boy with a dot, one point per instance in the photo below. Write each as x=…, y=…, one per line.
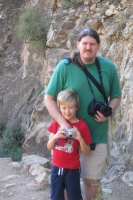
x=23, y=71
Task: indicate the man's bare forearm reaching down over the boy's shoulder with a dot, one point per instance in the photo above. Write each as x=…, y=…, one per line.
x=53, y=110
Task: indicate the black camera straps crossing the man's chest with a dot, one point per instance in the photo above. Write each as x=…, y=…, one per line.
x=89, y=75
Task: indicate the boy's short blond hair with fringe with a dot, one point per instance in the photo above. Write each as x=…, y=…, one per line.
x=68, y=96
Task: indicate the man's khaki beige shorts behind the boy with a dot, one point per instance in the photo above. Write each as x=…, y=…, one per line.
x=93, y=166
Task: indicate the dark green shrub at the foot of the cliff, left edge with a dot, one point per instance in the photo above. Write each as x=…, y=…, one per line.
x=11, y=144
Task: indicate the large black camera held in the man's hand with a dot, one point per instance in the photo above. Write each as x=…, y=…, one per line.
x=95, y=106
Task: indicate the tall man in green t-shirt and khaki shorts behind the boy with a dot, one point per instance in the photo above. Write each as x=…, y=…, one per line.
x=69, y=75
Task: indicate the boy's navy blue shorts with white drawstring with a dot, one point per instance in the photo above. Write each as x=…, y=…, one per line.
x=61, y=179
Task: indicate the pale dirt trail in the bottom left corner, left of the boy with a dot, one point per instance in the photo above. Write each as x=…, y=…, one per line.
x=16, y=185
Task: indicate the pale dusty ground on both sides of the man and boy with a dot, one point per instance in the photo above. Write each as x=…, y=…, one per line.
x=15, y=185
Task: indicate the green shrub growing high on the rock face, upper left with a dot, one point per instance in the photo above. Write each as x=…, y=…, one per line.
x=33, y=28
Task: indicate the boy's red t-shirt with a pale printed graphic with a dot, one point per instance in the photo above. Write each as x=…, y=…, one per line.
x=66, y=151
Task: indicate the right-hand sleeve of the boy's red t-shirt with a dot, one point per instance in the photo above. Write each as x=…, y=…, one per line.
x=86, y=134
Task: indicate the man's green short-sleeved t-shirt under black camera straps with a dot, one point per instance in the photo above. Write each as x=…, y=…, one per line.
x=72, y=77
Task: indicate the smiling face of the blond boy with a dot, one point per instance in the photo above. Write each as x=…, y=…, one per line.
x=69, y=111
